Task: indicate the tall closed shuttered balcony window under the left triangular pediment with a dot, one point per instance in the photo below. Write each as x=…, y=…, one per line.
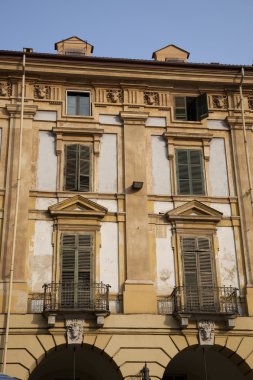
x=76, y=270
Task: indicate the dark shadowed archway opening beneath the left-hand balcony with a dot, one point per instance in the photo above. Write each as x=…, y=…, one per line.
x=76, y=363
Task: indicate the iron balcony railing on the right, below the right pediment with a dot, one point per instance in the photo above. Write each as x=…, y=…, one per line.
x=205, y=299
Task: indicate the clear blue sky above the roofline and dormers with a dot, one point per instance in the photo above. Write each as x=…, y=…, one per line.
x=211, y=30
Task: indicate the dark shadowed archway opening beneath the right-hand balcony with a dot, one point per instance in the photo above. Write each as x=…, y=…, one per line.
x=198, y=363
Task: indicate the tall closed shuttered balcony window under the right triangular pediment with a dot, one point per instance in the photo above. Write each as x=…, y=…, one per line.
x=198, y=273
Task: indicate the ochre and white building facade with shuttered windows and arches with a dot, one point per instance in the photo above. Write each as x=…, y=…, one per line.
x=126, y=216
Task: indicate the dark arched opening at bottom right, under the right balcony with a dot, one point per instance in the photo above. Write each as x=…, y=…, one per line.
x=219, y=361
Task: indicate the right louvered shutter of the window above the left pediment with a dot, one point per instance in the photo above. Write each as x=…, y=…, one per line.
x=84, y=168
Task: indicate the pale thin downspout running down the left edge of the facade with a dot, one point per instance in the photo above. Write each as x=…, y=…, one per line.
x=8, y=315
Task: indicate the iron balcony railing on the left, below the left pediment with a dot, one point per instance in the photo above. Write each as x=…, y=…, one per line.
x=69, y=296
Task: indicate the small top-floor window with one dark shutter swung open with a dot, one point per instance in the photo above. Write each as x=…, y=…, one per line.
x=191, y=108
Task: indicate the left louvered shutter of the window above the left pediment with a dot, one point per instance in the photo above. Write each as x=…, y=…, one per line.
x=71, y=167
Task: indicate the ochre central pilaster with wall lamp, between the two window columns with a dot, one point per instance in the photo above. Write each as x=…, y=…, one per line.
x=139, y=293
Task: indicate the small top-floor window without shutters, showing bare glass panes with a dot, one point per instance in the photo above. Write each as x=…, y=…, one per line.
x=78, y=103
